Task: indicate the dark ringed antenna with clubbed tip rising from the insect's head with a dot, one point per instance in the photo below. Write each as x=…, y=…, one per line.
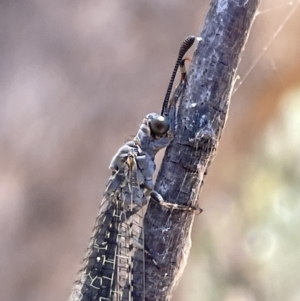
x=185, y=46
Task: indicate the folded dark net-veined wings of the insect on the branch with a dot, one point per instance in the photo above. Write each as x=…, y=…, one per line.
x=107, y=272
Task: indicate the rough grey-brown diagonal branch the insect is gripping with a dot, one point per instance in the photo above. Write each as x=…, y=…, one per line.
x=201, y=117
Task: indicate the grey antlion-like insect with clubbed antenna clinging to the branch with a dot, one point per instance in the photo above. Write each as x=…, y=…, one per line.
x=107, y=267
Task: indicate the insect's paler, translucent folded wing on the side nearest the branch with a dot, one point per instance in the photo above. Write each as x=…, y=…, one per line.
x=130, y=236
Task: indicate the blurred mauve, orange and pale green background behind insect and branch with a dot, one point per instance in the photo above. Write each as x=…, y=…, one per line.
x=76, y=79
